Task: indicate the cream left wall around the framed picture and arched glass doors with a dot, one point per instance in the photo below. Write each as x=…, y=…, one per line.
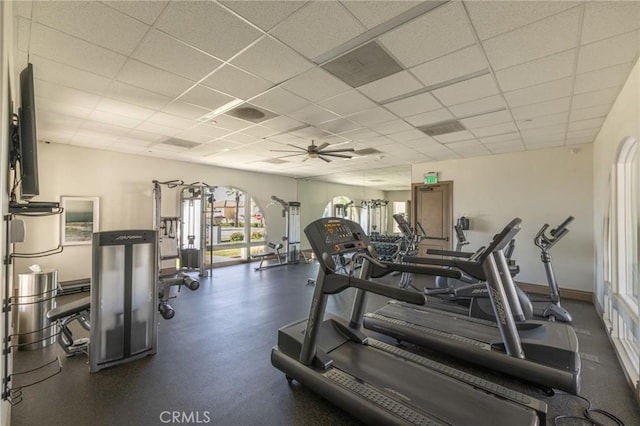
x=124, y=184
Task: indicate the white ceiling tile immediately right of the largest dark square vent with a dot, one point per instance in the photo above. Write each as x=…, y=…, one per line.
x=457, y=64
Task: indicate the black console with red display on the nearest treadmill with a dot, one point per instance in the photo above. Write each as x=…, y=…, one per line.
x=335, y=236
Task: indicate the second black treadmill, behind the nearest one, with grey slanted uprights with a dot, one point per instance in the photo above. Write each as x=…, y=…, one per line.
x=541, y=352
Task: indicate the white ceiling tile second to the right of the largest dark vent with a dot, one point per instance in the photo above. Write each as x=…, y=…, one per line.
x=536, y=72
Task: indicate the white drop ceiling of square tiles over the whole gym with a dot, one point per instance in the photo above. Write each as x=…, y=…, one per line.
x=495, y=77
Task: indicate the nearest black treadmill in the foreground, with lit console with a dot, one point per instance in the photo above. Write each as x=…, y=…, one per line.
x=376, y=382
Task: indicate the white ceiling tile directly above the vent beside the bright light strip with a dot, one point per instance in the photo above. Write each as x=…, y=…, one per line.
x=237, y=83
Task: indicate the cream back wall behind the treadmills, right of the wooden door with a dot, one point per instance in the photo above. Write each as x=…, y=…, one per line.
x=541, y=186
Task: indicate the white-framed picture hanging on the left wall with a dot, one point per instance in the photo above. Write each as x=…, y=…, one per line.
x=79, y=219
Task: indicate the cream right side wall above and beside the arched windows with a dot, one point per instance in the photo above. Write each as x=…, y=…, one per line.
x=623, y=121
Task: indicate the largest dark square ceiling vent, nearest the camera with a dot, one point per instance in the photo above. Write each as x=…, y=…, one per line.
x=367, y=63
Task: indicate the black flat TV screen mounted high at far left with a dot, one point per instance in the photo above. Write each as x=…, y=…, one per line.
x=29, y=187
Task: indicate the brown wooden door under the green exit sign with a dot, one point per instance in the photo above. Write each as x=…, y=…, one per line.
x=433, y=206
